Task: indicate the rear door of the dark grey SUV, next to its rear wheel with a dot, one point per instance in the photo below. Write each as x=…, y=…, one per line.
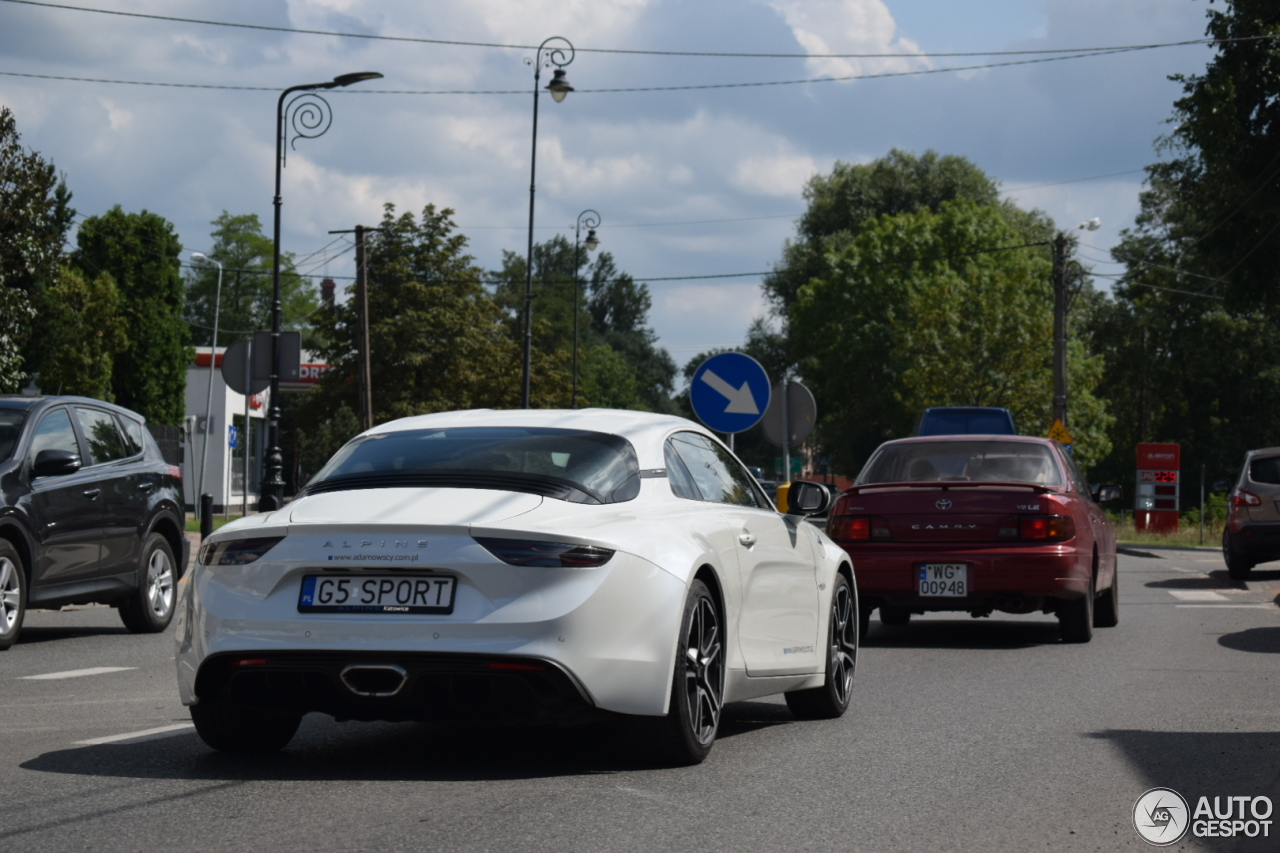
x=108, y=462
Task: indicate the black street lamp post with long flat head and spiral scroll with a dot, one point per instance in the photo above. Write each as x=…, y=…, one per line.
x=310, y=117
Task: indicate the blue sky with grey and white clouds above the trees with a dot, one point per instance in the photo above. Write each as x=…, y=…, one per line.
x=694, y=183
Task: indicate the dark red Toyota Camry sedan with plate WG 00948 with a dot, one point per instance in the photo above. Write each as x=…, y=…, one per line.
x=980, y=524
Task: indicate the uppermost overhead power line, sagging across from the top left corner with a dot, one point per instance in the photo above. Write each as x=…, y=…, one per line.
x=627, y=51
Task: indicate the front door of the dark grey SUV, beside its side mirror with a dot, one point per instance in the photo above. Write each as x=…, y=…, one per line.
x=67, y=510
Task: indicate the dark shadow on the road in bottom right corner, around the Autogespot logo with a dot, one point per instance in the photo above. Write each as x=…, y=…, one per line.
x=1204, y=764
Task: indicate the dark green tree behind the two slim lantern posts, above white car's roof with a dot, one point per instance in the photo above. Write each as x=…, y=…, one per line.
x=614, y=314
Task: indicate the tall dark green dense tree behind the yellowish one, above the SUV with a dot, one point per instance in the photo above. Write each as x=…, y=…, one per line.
x=141, y=253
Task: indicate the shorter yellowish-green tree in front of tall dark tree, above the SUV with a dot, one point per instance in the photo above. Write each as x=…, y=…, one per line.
x=86, y=332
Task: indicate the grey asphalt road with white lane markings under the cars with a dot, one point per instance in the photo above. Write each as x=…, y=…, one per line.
x=964, y=736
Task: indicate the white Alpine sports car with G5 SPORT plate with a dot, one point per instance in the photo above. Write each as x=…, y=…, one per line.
x=533, y=565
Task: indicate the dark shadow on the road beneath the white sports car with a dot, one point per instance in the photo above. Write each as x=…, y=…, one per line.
x=328, y=751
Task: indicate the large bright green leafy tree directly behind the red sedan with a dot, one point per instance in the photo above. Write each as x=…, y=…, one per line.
x=918, y=312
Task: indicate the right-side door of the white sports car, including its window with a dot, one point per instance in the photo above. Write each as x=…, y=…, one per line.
x=779, y=621
